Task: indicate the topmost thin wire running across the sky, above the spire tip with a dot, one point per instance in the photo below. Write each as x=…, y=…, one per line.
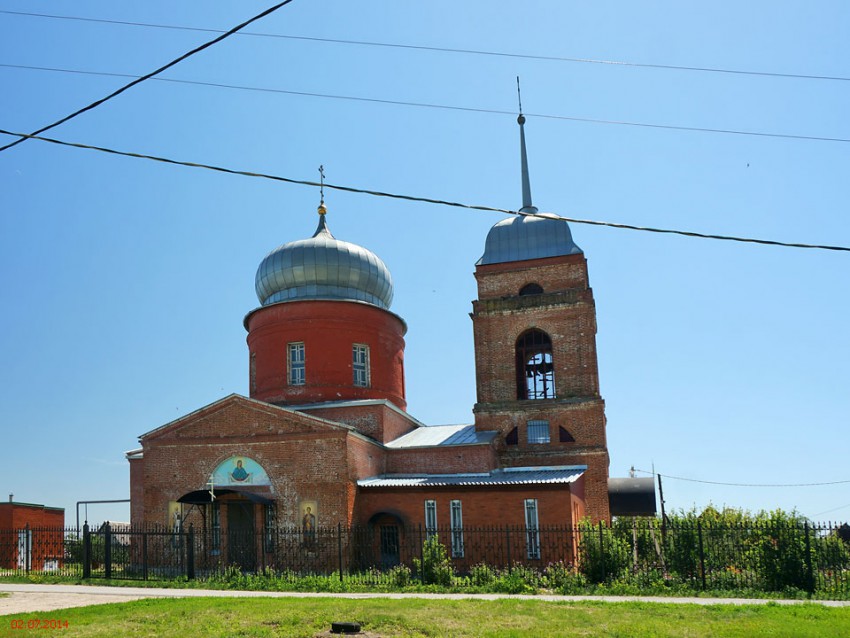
x=395, y=45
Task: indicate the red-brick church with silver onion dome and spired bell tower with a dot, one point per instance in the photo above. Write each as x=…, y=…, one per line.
x=324, y=437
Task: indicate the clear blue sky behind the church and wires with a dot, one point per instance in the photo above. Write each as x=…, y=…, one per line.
x=124, y=282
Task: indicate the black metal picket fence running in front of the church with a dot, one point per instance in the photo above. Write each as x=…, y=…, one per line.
x=813, y=558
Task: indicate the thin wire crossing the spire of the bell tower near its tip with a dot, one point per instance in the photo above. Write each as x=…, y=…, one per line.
x=431, y=105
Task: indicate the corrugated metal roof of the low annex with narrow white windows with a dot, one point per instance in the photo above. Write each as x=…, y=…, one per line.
x=508, y=476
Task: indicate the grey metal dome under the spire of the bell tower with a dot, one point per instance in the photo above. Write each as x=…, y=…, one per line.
x=527, y=237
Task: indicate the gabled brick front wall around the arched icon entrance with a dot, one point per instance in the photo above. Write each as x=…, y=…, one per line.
x=305, y=459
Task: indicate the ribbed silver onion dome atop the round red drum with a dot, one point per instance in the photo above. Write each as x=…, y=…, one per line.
x=323, y=267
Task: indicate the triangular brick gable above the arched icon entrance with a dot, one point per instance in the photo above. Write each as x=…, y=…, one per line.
x=235, y=415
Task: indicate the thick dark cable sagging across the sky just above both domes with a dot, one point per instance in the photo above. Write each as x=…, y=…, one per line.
x=429, y=200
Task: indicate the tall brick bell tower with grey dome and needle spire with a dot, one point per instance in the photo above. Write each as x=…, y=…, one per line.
x=534, y=325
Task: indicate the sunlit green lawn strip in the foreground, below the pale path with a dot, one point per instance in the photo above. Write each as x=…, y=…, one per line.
x=207, y=617
